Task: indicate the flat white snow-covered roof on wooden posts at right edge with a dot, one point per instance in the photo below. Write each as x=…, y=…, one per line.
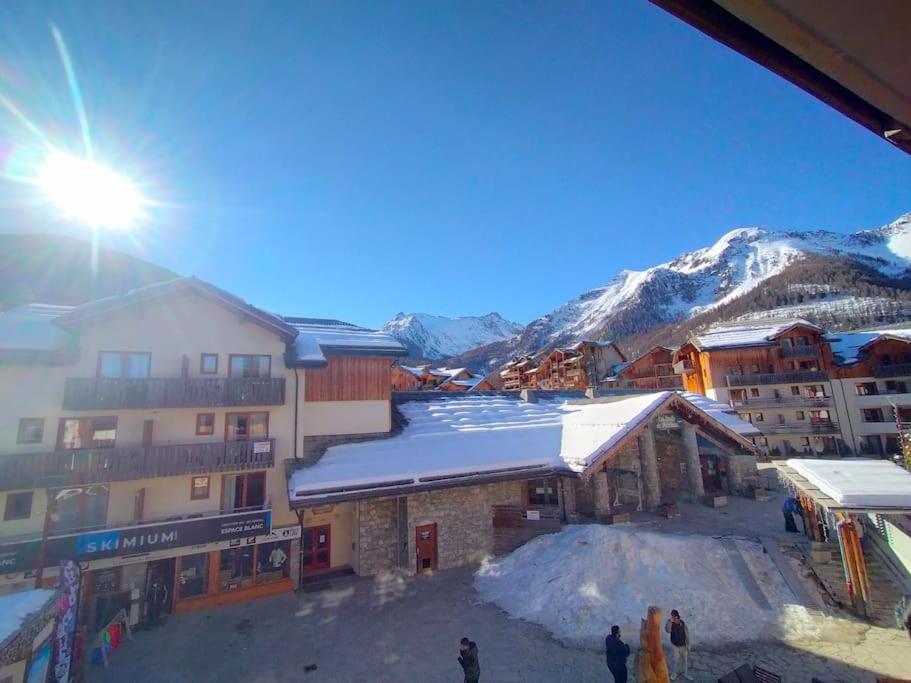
x=858, y=482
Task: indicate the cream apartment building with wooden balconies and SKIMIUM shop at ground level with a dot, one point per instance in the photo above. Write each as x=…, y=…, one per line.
x=142, y=435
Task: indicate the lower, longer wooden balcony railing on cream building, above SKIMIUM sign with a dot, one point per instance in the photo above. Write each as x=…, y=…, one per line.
x=99, y=465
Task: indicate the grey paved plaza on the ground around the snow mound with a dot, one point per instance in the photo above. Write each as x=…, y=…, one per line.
x=393, y=628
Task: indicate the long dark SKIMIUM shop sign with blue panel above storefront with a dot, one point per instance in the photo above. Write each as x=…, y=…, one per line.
x=15, y=557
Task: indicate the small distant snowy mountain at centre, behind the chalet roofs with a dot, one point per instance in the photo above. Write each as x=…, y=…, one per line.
x=434, y=336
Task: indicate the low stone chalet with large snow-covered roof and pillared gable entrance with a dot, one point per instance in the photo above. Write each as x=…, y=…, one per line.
x=468, y=474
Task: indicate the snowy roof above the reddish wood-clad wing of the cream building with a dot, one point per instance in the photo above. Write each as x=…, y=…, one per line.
x=318, y=338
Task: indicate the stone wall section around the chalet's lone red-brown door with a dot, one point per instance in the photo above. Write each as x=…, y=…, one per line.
x=464, y=519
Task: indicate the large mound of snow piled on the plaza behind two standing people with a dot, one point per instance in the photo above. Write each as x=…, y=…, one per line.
x=579, y=582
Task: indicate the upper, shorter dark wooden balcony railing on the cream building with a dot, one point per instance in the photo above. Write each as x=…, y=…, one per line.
x=95, y=393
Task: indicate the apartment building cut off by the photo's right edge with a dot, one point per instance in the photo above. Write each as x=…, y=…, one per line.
x=871, y=384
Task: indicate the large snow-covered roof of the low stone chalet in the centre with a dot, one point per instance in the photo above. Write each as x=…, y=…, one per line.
x=463, y=435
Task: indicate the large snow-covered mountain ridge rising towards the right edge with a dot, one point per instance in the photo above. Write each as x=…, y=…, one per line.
x=636, y=301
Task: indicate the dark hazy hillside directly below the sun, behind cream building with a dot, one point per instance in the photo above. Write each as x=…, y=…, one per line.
x=38, y=268
